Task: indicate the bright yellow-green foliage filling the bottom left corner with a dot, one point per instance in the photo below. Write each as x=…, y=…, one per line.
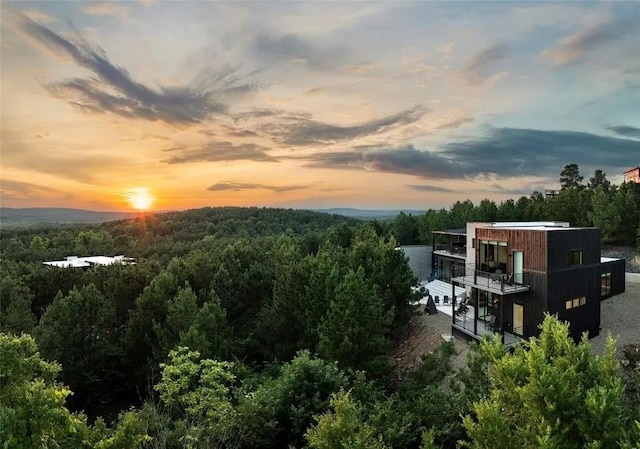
x=32, y=406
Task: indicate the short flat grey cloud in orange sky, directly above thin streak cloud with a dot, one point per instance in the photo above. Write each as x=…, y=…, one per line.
x=221, y=151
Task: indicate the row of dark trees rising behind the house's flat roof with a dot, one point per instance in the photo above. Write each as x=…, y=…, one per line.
x=613, y=209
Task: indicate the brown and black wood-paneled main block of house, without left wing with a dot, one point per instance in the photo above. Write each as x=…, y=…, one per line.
x=561, y=266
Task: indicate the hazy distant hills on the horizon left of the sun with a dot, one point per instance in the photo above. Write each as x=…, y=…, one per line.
x=12, y=217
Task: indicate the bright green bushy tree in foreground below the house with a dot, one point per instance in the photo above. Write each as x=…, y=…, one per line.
x=550, y=393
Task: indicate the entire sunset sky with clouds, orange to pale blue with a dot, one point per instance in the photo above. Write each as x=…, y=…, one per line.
x=312, y=104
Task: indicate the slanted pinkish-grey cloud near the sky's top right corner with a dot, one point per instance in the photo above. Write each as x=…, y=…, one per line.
x=573, y=49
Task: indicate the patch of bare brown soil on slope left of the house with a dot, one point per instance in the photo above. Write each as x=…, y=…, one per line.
x=424, y=337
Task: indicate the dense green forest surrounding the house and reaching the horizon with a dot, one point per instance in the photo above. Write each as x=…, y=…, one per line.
x=272, y=328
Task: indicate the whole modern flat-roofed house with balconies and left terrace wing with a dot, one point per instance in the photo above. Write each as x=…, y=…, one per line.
x=515, y=272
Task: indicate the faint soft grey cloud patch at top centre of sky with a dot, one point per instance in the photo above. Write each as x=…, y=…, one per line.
x=297, y=50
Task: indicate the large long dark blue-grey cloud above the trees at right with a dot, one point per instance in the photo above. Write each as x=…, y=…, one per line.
x=503, y=152
